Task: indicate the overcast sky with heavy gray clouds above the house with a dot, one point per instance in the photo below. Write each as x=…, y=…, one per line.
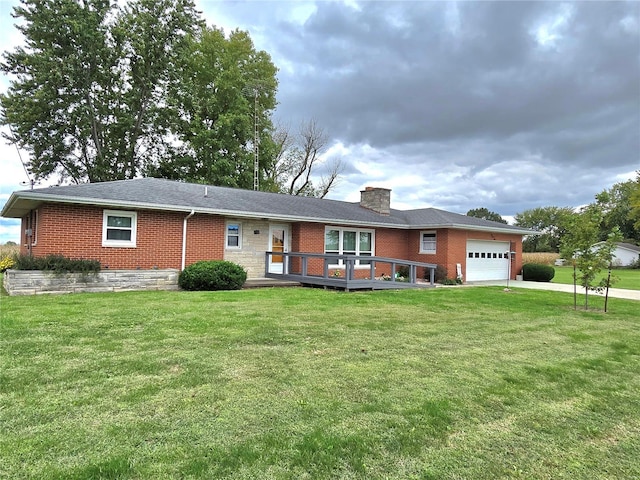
x=503, y=105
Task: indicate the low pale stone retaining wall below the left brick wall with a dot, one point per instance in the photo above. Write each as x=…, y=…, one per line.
x=32, y=282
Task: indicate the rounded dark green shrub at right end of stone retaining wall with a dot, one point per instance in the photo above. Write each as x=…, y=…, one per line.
x=212, y=275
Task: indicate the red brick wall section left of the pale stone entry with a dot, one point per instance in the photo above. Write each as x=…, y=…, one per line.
x=75, y=231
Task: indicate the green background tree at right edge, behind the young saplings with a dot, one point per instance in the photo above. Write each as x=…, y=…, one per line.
x=616, y=206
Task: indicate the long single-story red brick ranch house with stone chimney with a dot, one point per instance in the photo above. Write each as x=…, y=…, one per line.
x=151, y=223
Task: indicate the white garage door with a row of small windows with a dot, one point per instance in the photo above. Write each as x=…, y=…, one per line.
x=487, y=260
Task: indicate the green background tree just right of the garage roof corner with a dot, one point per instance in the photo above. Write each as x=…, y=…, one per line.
x=551, y=222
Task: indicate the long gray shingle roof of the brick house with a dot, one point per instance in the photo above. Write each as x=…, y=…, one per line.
x=160, y=194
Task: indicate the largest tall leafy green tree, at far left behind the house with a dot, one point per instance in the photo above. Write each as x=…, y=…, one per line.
x=89, y=87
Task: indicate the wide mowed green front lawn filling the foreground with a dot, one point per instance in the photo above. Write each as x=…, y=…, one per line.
x=466, y=383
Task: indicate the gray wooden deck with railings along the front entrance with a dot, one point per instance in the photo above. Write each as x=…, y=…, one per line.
x=354, y=272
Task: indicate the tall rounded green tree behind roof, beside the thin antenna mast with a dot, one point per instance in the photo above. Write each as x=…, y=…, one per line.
x=227, y=93
